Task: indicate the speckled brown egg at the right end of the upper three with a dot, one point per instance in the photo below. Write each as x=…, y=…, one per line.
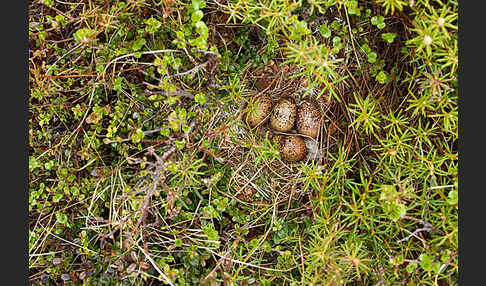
x=308, y=119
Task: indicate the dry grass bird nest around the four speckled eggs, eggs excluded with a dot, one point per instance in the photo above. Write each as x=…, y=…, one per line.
x=256, y=173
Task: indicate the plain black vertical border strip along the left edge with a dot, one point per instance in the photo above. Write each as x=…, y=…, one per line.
x=15, y=142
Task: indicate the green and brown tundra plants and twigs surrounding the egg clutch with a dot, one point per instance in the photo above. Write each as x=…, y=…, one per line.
x=142, y=171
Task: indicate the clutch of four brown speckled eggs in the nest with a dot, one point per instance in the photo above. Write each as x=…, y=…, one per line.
x=284, y=115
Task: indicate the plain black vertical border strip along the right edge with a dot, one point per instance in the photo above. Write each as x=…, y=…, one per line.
x=471, y=147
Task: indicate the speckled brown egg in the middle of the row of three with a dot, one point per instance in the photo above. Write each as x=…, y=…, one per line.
x=283, y=115
